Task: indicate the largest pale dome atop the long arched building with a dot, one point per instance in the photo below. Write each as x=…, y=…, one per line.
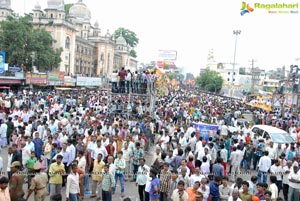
x=80, y=11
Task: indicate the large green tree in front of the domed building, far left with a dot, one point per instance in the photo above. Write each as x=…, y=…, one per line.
x=18, y=39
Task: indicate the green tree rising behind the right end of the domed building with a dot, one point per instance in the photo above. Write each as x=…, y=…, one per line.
x=130, y=38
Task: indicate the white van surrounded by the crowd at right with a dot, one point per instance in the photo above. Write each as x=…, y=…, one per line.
x=277, y=135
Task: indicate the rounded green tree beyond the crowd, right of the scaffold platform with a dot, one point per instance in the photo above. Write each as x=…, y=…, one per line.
x=210, y=80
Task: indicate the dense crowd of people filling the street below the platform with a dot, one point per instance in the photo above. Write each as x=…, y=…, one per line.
x=77, y=142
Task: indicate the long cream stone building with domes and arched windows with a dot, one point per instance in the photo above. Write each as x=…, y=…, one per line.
x=86, y=50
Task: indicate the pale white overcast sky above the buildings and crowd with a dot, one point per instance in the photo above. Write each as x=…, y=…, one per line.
x=194, y=27
